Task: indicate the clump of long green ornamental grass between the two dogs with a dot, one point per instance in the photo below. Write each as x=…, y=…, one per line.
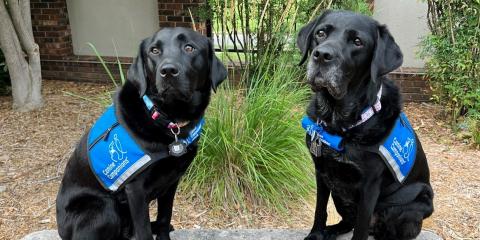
x=252, y=151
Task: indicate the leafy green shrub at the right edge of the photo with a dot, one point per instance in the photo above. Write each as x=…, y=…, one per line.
x=452, y=54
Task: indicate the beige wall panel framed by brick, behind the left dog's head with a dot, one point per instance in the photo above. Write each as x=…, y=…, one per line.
x=102, y=22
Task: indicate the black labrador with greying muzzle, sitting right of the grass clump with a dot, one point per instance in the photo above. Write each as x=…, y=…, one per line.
x=354, y=109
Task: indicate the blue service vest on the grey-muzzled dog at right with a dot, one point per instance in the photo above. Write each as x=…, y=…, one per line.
x=398, y=149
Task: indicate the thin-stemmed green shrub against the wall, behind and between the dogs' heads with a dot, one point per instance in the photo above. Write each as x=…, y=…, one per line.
x=249, y=27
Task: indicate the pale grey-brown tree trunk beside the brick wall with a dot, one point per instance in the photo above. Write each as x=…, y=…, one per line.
x=21, y=54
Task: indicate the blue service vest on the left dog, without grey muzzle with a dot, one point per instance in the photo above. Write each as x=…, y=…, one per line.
x=115, y=157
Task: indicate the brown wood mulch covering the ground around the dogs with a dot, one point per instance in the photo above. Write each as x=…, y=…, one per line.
x=35, y=146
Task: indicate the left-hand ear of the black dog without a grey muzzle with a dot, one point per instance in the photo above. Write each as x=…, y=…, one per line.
x=136, y=73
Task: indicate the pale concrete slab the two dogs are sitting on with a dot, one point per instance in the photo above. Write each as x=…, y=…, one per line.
x=231, y=234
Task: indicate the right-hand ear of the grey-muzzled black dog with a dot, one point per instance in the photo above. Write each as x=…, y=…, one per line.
x=387, y=55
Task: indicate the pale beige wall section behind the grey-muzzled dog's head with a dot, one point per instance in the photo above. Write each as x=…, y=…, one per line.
x=407, y=22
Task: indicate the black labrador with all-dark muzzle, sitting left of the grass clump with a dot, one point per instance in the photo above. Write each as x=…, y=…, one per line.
x=167, y=90
